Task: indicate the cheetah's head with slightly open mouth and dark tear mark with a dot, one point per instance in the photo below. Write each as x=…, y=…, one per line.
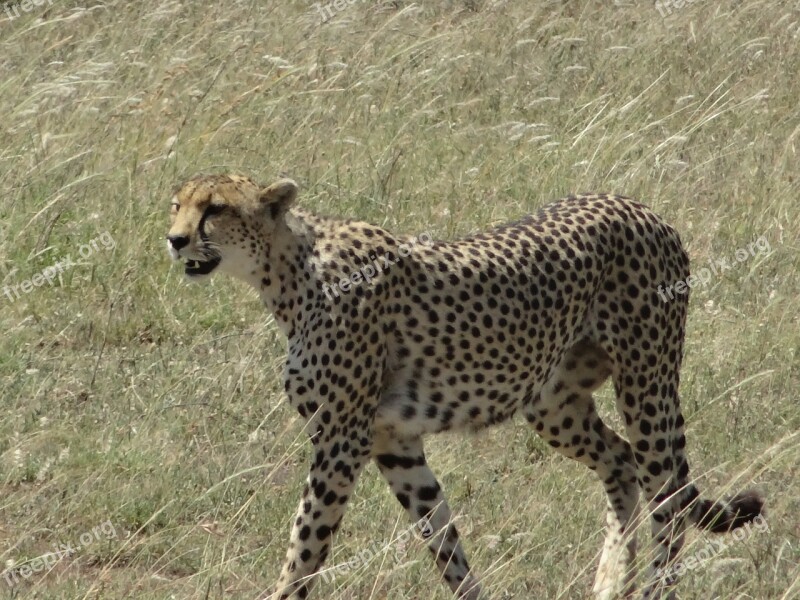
x=224, y=222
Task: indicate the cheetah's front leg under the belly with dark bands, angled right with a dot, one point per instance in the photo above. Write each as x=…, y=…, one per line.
x=402, y=463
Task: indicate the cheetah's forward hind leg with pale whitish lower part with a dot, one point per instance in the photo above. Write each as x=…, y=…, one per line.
x=565, y=416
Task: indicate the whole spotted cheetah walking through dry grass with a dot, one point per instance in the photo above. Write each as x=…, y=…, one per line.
x=530, y=317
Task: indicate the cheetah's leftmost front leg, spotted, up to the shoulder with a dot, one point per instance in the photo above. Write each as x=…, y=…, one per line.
x=339, y=406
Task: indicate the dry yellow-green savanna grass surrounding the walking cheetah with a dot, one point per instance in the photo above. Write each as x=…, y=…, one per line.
x=134, y=402
